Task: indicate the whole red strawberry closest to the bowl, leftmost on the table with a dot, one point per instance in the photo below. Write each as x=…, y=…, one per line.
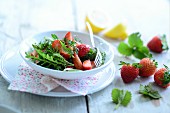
x=129, y=71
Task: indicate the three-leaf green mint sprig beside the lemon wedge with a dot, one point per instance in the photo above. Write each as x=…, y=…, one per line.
x=134, y=47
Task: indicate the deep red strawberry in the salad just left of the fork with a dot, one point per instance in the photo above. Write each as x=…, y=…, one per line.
x=83, y=49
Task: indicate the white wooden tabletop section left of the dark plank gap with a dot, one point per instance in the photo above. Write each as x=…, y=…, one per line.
x=20, y=19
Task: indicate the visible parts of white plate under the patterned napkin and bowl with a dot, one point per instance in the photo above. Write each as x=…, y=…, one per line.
x=10, y=61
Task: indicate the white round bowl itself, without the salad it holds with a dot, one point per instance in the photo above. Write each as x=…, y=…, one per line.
x=26, y=46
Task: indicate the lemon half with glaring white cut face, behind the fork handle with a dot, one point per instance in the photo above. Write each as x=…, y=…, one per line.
x=97, y=19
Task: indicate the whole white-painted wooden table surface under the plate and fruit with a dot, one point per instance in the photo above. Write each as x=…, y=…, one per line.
x=22, y=18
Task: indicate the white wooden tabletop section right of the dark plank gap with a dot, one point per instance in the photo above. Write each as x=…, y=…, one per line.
x=139, y=16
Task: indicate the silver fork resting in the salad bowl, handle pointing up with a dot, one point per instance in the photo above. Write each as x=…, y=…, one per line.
x=98, y=58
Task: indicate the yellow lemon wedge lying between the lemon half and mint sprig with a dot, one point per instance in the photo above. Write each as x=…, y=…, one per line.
x=117, y=32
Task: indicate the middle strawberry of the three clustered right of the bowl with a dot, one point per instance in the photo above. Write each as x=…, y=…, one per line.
x=148, y=67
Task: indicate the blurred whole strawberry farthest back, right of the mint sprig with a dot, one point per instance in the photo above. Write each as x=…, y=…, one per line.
x=158, y=44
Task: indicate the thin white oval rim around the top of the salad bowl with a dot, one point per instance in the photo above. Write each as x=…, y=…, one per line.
x=58, y=71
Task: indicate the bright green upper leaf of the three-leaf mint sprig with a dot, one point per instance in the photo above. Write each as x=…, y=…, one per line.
x=134, y=40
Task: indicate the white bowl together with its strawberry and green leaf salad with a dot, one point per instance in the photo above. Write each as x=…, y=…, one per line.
x=65, y=55
